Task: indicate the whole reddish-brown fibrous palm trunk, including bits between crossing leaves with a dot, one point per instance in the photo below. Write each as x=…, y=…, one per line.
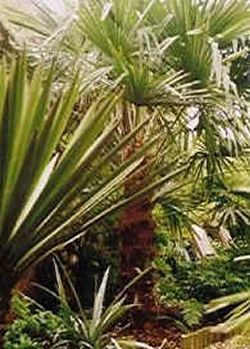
x=136, y=233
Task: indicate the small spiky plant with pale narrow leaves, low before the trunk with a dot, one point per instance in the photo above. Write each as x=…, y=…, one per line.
x=90, y=330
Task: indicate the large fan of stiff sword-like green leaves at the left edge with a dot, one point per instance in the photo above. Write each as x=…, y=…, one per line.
x=50, y=195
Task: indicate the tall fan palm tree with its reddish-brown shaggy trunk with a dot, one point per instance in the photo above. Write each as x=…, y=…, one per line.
x=172, y=58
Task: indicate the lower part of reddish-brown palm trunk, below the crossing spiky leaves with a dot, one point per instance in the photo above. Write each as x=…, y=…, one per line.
x=136, y=247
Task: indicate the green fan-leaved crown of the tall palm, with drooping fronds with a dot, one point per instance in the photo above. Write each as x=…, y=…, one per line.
x=172, y=57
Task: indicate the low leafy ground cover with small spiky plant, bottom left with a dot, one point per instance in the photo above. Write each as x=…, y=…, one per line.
x=68, y=329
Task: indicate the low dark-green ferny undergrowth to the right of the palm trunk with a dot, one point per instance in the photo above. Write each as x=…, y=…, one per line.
x=193, y=284
